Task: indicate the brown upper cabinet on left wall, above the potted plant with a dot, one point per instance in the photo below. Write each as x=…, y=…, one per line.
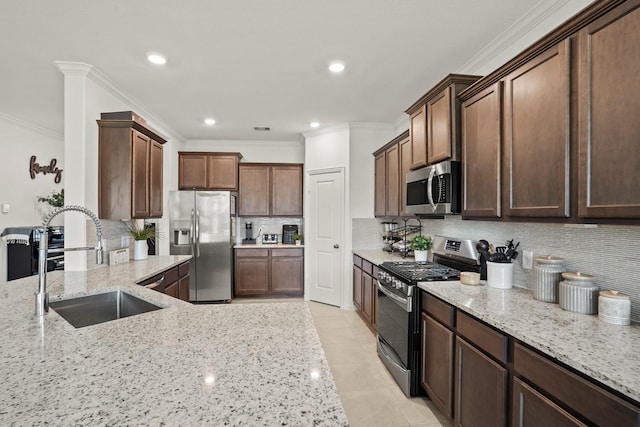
x=129, y=170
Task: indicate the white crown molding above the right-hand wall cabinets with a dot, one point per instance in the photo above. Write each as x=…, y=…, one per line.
x=519, y=29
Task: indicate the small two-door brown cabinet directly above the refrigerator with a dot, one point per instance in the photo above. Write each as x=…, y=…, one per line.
x=208, y=171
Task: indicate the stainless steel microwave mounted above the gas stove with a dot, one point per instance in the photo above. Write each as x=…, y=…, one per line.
x=434, y=189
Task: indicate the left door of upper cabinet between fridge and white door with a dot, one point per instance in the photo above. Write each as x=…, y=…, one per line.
x=254, y=191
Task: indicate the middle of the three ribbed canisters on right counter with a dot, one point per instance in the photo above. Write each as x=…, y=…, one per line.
x=578, y=293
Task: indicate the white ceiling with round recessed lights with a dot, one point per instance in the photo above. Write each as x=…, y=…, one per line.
x=245, y=63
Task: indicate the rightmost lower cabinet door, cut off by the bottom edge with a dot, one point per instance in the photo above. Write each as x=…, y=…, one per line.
x=530, y=408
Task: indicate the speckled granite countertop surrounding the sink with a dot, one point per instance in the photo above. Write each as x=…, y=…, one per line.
x=228, y=364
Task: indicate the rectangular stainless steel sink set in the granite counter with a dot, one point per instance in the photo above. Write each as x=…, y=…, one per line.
x=99, y=308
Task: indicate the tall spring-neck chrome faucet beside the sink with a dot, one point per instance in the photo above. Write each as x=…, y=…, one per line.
x=42, y=297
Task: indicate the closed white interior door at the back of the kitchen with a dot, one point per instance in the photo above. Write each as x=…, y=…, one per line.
x=324, y=236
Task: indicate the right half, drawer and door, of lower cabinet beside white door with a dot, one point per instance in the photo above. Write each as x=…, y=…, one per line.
x=287, y=271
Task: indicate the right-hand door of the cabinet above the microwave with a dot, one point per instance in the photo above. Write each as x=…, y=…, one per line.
x=439, y=137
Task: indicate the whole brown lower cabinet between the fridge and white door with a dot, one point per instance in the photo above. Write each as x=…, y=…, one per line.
x=269, y=272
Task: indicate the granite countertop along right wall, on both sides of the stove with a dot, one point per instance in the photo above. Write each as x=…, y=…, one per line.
x=608, y=353
